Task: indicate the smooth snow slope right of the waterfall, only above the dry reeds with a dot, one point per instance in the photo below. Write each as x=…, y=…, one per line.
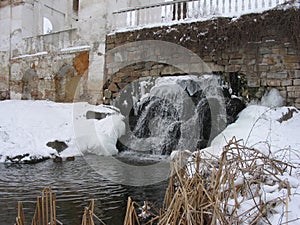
x=264, y=126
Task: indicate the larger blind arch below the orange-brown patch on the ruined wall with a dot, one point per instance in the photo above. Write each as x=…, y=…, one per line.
x=66, y=83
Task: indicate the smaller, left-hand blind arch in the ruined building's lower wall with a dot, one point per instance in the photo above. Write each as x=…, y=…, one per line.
x=30, y=84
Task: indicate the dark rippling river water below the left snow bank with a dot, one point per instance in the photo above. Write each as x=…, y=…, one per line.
x=75, y=183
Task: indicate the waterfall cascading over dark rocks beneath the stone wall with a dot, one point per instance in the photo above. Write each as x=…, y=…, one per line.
x=168, y=113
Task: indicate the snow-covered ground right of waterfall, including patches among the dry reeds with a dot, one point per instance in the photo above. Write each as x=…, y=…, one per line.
x=273, y=130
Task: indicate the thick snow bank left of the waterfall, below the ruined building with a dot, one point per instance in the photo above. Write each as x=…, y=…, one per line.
x=27, y=126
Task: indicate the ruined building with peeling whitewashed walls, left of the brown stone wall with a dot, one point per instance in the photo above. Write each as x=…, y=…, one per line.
x=52, y=49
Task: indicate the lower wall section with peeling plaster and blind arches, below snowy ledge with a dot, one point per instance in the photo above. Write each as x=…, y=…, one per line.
x=57, y=77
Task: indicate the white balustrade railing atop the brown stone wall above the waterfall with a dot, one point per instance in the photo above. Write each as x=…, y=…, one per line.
x=187, y=10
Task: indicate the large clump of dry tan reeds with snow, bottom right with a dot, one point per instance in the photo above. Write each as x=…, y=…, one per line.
x=243, y=186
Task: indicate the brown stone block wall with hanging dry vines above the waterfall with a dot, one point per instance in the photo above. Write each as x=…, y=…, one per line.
x=265, y=48
